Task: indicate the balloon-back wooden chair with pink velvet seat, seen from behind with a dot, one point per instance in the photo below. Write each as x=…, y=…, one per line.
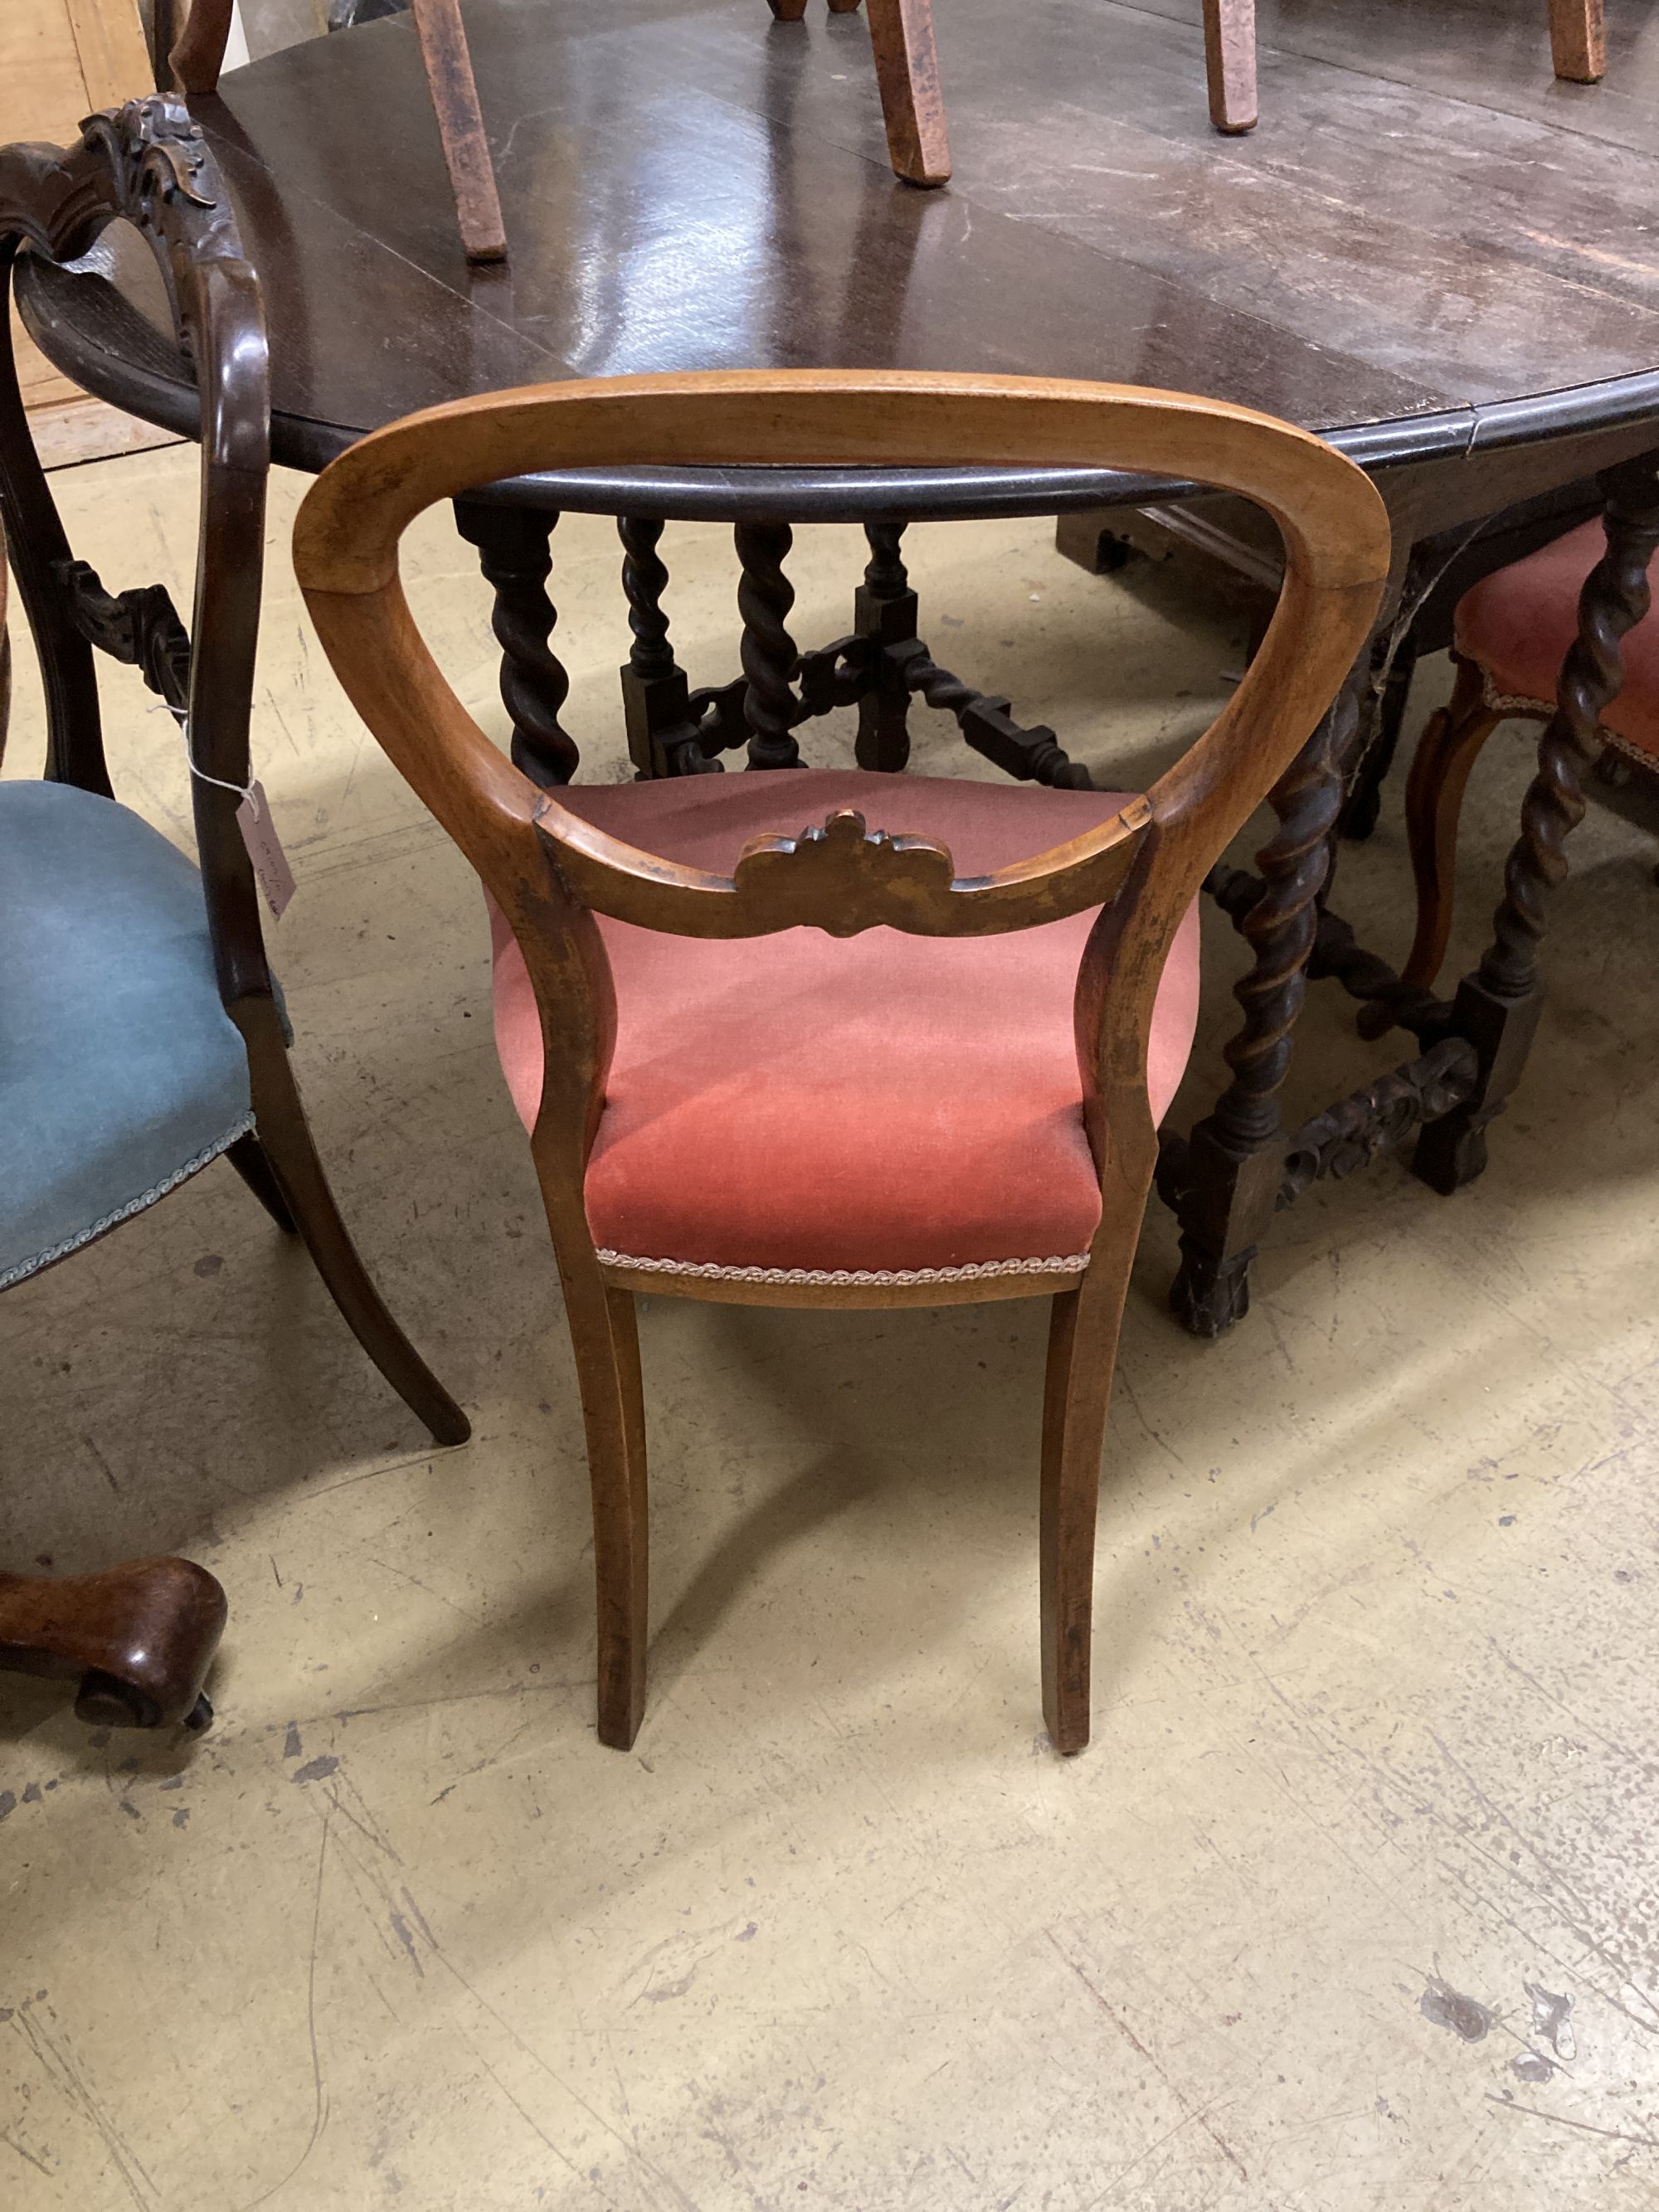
x=831, y=1065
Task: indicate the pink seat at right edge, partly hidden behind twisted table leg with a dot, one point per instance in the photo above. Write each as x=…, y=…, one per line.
x=1521, y=623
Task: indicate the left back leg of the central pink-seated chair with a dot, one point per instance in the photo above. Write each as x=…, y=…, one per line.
x=605, y=1337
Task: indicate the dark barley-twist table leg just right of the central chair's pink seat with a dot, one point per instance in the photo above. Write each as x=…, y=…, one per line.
x=1227, y=1185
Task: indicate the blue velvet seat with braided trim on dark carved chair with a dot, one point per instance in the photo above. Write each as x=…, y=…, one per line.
x=121, y=1072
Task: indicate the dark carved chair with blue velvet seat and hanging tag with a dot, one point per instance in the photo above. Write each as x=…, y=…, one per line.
x=140, y=1027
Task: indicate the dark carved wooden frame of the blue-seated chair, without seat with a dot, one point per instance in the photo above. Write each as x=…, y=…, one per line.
x=149, y=165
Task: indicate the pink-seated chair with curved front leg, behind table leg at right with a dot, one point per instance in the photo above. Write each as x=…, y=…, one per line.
x=1512, y=636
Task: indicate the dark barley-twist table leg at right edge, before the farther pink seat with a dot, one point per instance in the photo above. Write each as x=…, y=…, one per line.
x=1501, y=1003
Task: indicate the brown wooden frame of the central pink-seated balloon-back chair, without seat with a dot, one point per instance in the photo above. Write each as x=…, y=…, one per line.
x=554, y=873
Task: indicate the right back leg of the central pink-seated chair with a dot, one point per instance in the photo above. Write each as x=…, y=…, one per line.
x=1078, y=1395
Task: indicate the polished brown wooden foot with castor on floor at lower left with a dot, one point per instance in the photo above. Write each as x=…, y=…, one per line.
x=140, y=1638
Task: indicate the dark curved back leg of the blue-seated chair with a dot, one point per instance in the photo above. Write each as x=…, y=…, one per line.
x=291, y=1156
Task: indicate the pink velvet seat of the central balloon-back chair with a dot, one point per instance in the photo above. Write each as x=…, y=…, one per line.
x=877, y=1103
